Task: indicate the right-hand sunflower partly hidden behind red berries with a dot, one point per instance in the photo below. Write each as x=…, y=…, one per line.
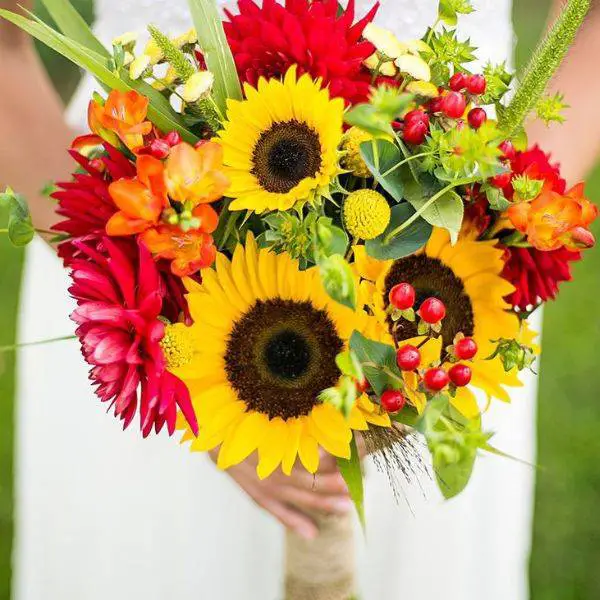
x=467, y=278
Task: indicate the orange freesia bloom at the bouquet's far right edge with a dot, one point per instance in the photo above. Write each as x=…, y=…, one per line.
x=553, y=221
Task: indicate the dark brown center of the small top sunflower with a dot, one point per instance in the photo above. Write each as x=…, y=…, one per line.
x=286, y=154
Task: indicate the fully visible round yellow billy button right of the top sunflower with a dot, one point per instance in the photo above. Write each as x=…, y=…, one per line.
x=366, y=214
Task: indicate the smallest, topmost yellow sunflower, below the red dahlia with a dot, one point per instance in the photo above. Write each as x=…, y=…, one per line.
x=281, y=143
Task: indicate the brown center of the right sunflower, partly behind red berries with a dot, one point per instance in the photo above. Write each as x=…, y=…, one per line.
x=431, y=278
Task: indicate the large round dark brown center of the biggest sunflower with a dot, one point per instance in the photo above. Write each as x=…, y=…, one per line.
x=281, y=355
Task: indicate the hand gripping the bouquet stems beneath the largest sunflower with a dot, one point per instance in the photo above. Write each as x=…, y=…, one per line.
x=289, y=499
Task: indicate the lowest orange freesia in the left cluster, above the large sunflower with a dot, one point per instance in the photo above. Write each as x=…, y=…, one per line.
x=187, y=251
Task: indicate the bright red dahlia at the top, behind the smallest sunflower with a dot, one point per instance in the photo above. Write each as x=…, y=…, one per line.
x=315, y=35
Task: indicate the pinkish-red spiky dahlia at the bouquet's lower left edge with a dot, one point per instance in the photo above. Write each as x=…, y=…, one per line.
x=119, y=327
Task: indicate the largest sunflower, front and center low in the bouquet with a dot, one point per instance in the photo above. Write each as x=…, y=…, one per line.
x=267, y=337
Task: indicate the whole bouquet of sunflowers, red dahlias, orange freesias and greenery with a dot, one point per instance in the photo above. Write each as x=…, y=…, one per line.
x=292, y=232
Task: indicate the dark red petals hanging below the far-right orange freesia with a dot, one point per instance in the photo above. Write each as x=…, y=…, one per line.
x=536, y=275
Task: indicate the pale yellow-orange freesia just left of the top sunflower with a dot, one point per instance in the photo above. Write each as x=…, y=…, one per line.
x=195, y=175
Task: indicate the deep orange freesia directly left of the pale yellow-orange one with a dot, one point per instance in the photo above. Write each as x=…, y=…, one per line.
x=140, y=200
